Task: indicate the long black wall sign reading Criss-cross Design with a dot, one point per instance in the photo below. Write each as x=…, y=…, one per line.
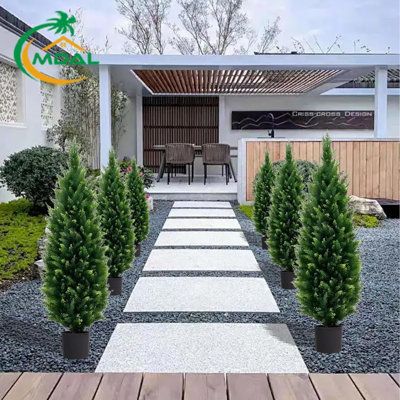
x=302, y=120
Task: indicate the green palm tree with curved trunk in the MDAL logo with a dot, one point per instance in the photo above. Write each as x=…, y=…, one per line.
x=60, y=25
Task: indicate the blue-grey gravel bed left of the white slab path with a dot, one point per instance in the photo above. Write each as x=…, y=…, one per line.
x=30, y=342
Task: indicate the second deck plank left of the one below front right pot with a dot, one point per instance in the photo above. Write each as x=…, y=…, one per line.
x=248, y=387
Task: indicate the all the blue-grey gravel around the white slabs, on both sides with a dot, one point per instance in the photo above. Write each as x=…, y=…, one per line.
x=29, y=342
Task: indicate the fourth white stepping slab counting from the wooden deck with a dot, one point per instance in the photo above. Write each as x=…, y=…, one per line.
x=205, y=238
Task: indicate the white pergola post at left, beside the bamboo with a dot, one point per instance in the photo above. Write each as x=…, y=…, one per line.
x=105, y=114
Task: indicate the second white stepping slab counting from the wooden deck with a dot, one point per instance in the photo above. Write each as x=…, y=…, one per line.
x=201, y=294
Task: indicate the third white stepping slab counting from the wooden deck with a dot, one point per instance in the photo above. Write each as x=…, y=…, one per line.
x=201, y=260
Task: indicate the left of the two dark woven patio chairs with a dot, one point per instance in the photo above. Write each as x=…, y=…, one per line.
x=180, y=154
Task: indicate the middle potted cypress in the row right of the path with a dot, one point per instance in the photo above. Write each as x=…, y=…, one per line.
x=284, y=218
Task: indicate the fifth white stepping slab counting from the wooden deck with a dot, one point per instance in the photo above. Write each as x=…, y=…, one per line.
x=202, y=223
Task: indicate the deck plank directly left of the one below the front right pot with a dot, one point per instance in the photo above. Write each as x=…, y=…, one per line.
x=292, y=387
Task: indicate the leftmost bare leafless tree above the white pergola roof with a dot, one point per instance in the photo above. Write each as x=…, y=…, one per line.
x=145, y=33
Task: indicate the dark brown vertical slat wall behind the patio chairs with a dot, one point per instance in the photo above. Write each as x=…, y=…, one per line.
x=177, y=120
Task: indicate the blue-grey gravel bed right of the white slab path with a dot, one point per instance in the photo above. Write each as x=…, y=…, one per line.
x=371, y=339
